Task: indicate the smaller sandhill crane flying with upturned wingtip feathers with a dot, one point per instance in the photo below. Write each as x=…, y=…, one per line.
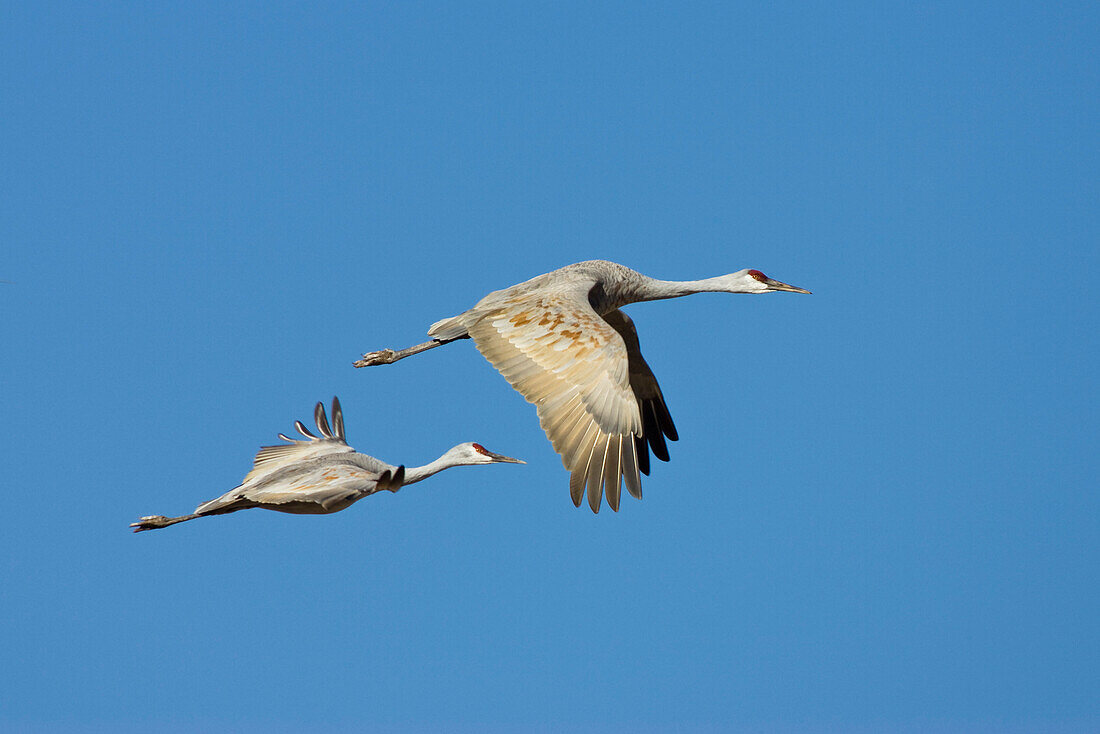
x=322, y=475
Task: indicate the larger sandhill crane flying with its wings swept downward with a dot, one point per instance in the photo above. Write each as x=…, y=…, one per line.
x=563, y=343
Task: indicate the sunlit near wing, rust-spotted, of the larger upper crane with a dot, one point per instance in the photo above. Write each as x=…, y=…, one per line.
x=566, y=359
